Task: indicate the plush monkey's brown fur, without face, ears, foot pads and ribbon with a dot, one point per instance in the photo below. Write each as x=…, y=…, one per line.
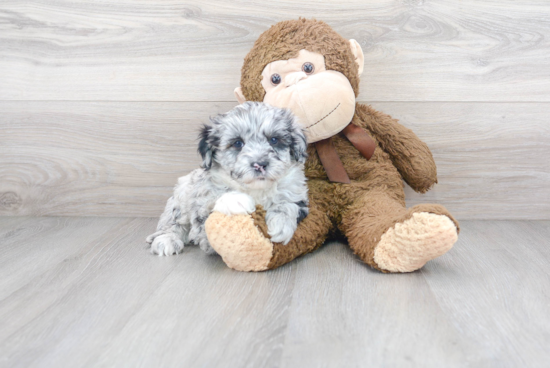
x=374, y=202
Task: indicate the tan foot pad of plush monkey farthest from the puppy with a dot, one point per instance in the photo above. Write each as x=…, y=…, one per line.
x=407, y=246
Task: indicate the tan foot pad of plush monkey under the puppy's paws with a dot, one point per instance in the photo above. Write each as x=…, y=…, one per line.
x=238, y=241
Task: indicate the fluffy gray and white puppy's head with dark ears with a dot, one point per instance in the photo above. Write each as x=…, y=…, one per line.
x=254, y=143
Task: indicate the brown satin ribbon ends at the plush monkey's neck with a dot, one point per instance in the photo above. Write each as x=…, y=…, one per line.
x=330, y=159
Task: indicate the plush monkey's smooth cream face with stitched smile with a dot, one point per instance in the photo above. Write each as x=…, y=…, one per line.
x=323, y=100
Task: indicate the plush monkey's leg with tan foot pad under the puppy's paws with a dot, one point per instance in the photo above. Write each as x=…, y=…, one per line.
x=243, y=243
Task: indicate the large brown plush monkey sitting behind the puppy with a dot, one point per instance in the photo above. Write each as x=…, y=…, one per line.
x=355, y=168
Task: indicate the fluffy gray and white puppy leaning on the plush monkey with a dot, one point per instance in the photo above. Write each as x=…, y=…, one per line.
x=254, y=154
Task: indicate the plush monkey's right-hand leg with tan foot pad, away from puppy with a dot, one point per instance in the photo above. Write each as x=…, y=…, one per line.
x=391, y=238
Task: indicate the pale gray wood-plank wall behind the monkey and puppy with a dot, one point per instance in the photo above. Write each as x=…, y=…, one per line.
x=100, y=102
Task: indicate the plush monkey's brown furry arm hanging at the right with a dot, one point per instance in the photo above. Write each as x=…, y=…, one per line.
x=409, y=154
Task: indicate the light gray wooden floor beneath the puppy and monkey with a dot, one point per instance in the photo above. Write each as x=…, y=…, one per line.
x=85, y=292
